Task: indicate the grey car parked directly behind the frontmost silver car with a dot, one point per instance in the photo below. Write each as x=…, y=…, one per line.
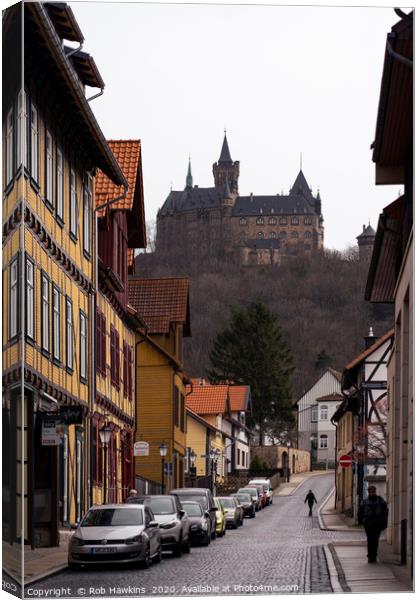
x=173, y=521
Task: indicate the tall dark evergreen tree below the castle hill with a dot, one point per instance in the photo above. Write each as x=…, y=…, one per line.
x=253, y=351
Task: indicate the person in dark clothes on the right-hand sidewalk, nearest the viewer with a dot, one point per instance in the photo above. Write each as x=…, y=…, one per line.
x=373, y=514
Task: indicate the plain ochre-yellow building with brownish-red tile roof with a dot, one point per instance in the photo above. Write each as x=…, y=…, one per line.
x=160, y=398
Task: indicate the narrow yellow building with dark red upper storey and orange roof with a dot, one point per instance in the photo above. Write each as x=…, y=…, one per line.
x=121, y=228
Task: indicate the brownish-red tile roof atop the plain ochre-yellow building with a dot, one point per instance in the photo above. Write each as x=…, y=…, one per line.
x=161, y=302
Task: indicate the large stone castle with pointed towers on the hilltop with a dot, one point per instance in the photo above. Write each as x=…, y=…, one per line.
x=218, y=221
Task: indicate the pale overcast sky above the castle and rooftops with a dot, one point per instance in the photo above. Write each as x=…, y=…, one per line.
x=283, y=80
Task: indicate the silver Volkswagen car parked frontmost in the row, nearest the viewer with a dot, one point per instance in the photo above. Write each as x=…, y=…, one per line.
x=111, y=533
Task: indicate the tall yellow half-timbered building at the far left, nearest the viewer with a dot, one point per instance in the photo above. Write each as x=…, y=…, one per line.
x=52, y=146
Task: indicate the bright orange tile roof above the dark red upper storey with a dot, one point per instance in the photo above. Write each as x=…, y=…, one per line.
x=127, y=154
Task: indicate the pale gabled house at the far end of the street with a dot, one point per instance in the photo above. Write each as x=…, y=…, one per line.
x=316, y=434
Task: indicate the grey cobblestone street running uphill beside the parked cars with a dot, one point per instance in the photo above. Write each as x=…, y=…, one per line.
x=278, y=552
